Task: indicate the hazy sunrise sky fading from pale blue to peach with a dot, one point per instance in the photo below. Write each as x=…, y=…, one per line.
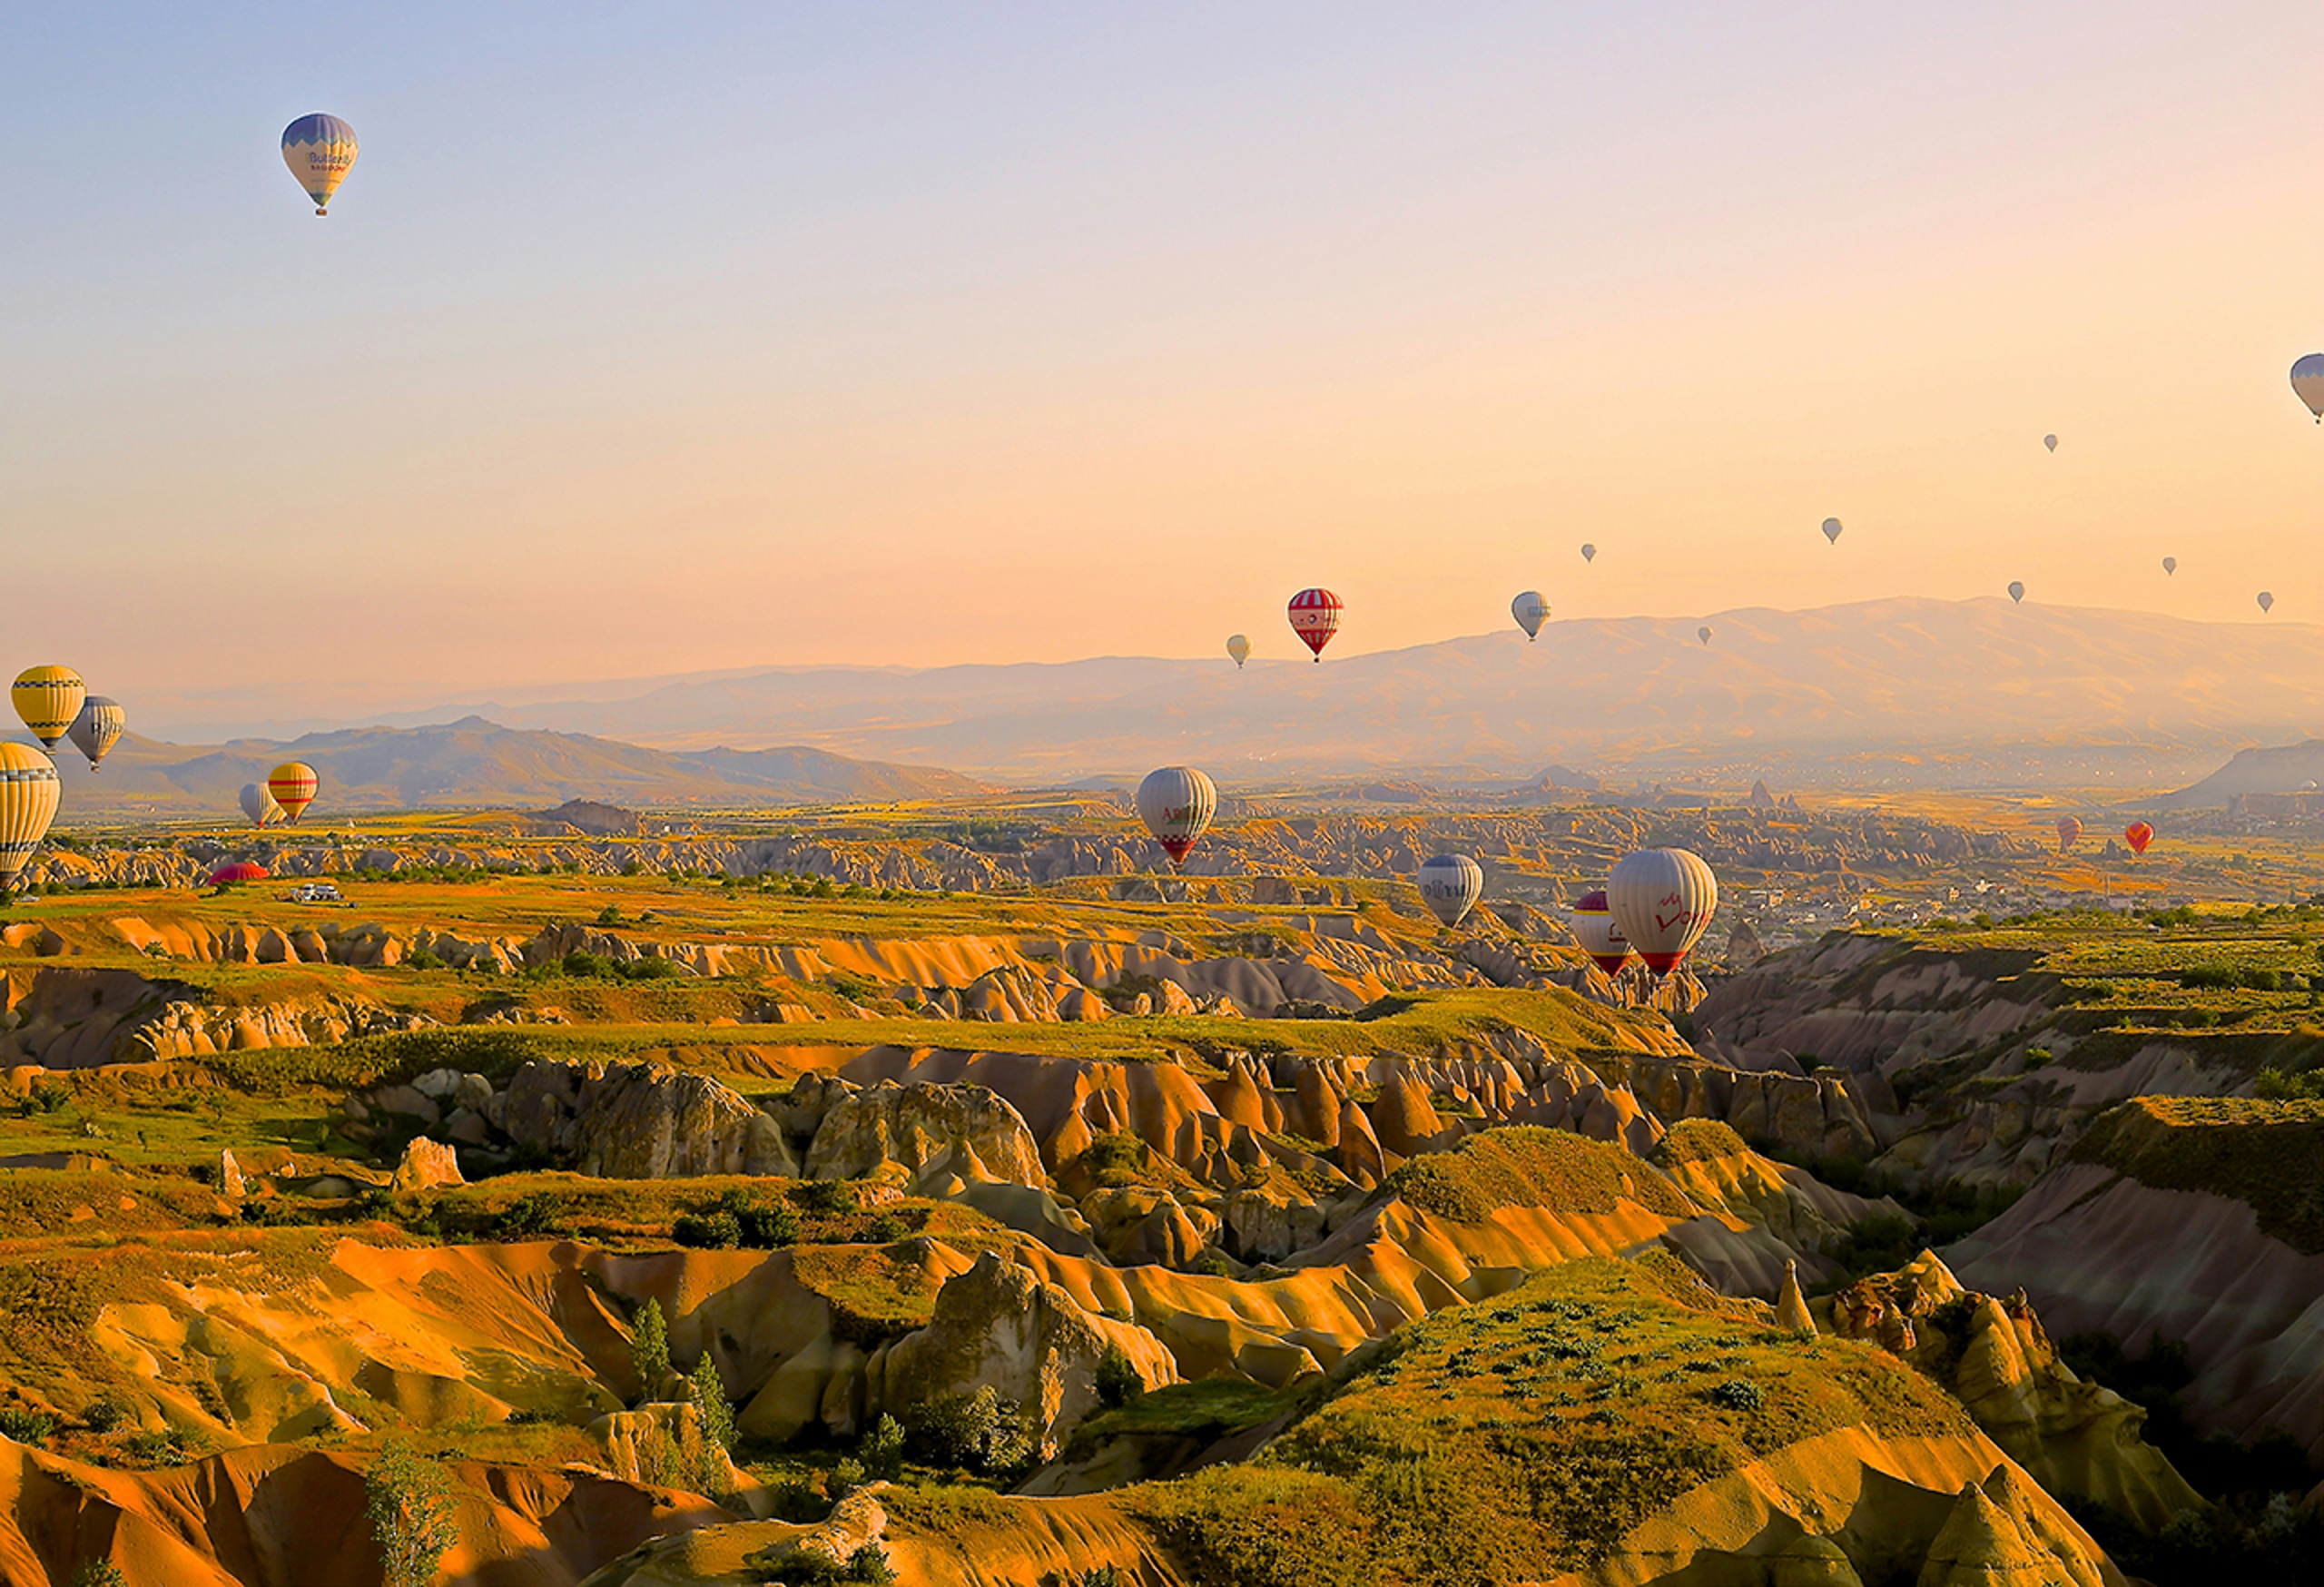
x=654, y=340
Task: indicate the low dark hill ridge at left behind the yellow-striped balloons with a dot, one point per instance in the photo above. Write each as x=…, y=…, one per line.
x=478, y=763
